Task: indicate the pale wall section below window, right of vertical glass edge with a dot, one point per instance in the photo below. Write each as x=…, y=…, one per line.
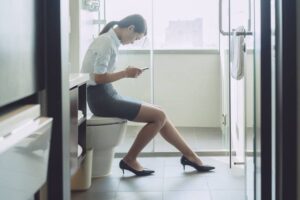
x=188, y=88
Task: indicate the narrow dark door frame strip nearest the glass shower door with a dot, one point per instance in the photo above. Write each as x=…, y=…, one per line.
x=266, y=106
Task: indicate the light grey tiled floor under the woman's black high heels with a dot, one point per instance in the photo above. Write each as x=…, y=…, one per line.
x=169, y=182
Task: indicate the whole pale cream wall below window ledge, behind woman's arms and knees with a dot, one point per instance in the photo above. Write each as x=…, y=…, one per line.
x=186, y=86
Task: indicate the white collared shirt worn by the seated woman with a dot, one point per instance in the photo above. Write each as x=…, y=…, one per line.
x=101, y=55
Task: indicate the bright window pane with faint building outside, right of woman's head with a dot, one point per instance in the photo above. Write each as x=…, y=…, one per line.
x=188, y=24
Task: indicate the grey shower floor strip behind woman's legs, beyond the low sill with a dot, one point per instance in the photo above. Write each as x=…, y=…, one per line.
x=199, y=139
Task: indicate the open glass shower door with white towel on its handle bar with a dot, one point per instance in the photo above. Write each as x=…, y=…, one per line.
x=242, y=89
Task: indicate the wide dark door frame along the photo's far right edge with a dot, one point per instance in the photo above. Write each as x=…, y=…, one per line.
x=286, y=99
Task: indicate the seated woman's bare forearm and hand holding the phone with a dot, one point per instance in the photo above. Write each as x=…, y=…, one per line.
x=129, y=72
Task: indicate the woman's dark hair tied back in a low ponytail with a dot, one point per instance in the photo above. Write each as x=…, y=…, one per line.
x=139, y=23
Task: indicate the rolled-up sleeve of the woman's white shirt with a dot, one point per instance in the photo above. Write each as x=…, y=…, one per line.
x=103, y=56
